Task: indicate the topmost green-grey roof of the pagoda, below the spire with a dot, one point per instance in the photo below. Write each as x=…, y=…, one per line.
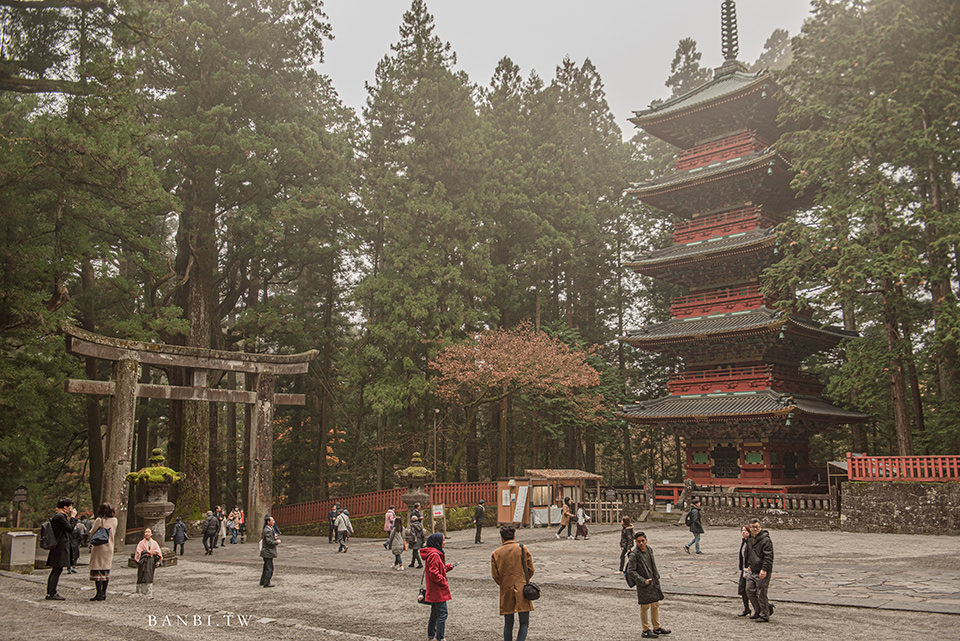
x=729, y=102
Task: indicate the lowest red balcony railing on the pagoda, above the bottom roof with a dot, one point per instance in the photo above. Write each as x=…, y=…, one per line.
x=743, y=379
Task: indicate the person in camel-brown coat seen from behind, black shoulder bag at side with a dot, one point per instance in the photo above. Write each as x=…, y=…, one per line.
x=507, y=568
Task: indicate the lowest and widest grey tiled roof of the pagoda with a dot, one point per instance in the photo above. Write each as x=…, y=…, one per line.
x=736, y=407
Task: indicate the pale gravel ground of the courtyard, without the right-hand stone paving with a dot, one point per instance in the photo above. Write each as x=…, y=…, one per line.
x=353, y=597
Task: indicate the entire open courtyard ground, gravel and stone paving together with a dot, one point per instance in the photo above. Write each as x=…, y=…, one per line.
x=828, y=585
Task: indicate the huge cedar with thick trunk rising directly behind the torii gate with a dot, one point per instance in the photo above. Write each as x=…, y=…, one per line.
x=247, y=152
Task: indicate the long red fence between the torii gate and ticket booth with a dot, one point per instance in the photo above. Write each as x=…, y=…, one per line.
x=368, y=503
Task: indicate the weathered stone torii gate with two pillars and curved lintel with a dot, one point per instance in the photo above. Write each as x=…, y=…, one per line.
x=125, y=388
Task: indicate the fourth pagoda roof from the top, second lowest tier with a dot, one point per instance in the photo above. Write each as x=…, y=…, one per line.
x=742, y=323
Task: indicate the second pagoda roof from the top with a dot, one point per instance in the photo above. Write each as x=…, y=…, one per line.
x=759, y=178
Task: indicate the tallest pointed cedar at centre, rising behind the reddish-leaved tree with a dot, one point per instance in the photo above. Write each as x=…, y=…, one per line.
x=430, y=266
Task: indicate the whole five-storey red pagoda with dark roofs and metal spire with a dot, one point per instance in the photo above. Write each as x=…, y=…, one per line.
x=742, y=405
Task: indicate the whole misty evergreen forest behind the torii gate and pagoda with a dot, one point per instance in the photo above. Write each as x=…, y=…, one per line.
x=185, y=173
